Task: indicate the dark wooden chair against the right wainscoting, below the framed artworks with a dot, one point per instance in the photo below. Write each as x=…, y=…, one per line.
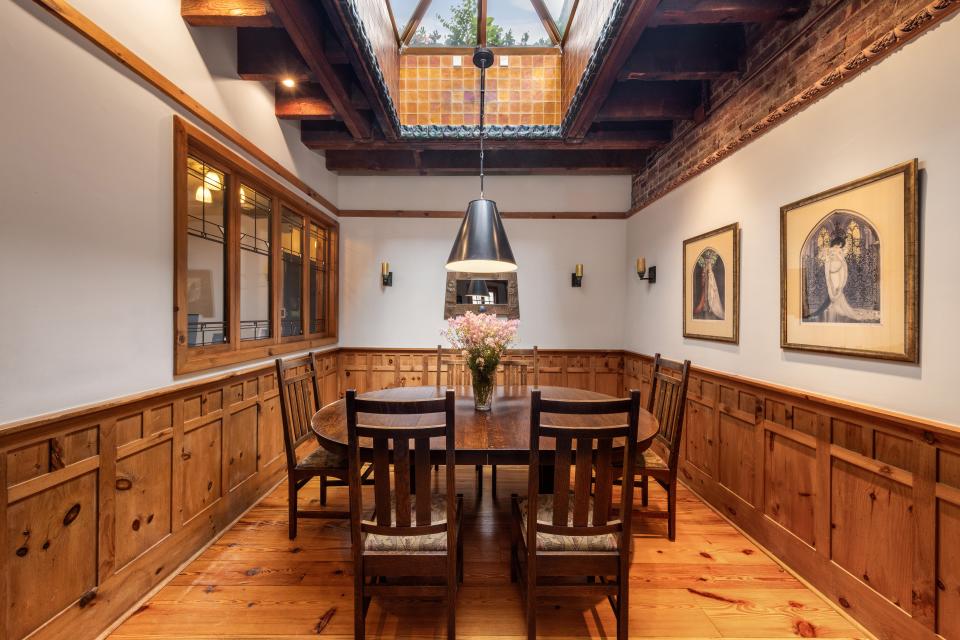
x=661, y=461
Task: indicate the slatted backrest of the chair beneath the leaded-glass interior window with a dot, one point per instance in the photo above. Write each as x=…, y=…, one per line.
x=299, y=400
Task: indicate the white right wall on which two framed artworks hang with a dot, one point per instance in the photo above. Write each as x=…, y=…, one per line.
x=895, y=111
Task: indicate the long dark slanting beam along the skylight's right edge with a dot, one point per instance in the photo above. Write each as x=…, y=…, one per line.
x=638, y=15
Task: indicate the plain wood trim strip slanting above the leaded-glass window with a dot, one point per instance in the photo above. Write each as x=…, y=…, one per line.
x=110, y=45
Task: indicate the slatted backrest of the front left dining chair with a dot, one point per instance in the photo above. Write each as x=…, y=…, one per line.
x=404, y=508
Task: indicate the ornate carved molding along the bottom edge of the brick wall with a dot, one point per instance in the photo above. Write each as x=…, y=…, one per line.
x=889, y=42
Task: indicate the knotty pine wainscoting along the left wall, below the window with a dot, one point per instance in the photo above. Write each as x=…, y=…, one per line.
x=102, y=503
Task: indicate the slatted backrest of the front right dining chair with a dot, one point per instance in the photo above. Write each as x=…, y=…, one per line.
x=574, y=447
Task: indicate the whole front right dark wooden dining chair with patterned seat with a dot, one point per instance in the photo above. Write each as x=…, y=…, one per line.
x=574, y=533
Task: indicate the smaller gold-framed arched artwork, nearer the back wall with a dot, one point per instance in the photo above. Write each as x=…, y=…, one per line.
x=711, y=285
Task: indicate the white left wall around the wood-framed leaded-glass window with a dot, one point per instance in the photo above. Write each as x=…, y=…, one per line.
x=86, y=243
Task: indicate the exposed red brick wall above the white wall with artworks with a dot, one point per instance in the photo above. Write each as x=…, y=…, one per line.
x=787, y=68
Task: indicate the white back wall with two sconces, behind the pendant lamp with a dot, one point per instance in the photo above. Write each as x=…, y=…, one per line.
x=552, y=313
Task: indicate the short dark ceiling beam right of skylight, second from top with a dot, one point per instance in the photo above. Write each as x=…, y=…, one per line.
x=686, y=53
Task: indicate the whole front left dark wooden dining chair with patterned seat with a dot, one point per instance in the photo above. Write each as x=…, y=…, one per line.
x=409, y=533
